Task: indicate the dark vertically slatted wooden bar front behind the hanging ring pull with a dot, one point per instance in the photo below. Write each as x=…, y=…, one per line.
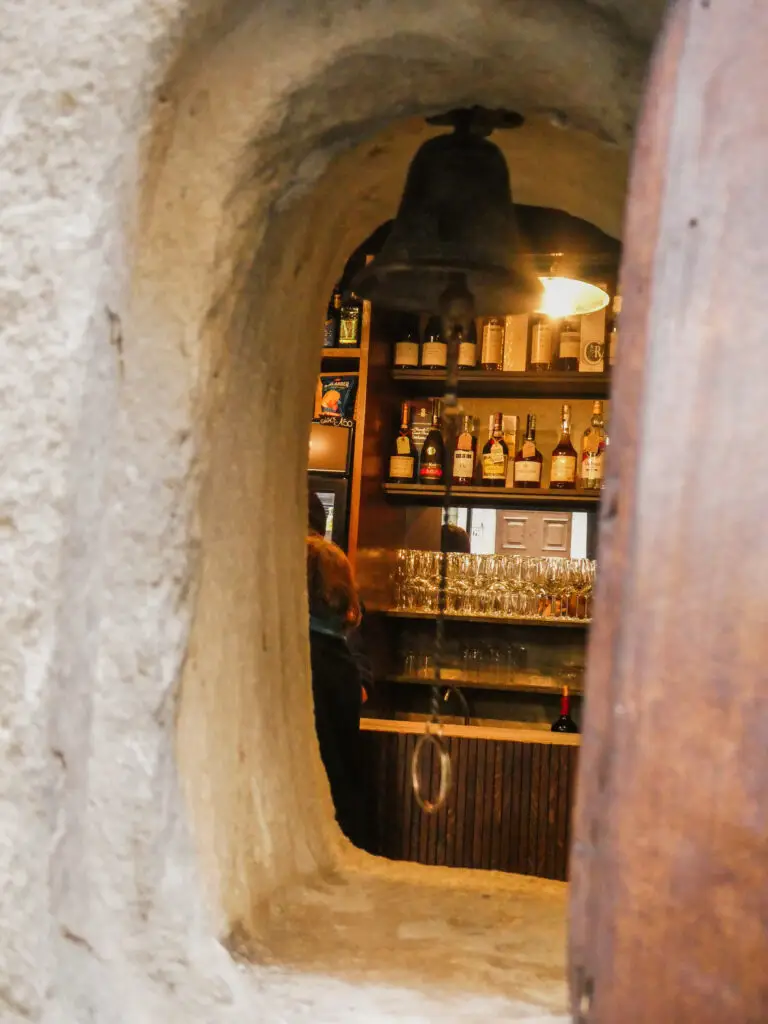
x=509, y=808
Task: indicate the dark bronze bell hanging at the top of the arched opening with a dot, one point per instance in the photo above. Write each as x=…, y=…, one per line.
x=455, y=228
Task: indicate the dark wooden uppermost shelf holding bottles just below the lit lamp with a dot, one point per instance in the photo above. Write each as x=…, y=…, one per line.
x=504, y=385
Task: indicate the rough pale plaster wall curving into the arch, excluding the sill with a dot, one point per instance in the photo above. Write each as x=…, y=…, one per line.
x=164, y=261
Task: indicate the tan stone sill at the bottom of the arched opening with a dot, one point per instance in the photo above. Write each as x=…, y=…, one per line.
x=407, y=944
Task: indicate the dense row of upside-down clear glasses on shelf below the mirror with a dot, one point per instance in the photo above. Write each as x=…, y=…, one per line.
x=496, y=586
